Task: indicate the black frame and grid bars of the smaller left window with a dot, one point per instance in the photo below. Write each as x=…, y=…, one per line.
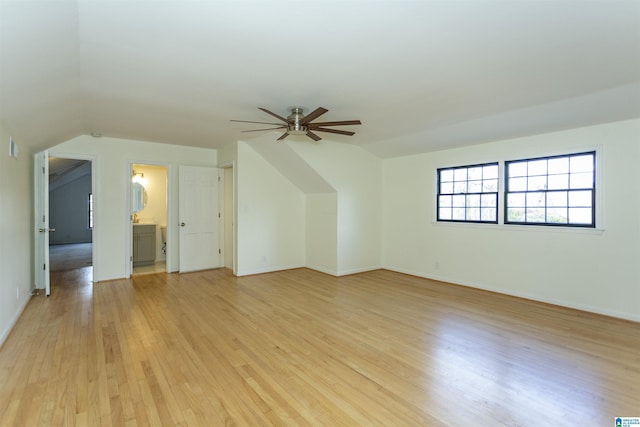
x=496, y=193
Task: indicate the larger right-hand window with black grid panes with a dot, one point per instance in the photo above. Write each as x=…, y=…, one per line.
x=558, y=190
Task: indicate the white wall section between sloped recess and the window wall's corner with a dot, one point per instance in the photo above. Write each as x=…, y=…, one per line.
x=356, y=176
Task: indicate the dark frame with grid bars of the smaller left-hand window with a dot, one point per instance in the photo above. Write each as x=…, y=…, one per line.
x=480, y=194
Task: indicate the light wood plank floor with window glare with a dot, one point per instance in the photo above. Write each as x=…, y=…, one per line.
x=303, y=348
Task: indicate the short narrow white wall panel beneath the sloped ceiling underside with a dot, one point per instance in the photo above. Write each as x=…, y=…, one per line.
x=322, y=232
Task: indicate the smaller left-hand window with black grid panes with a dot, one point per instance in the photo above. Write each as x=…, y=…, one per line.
x=468, y=193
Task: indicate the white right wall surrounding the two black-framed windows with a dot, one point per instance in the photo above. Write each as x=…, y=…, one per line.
x=595, y=270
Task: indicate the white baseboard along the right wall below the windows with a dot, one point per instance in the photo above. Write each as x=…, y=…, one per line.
x=523, y=295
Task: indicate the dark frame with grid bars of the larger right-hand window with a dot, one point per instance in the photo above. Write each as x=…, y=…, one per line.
x=546, y=192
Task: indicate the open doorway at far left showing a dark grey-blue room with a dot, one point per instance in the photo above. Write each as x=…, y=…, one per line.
x=70, y=215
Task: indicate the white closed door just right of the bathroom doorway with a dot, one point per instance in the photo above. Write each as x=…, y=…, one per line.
x=199, y=216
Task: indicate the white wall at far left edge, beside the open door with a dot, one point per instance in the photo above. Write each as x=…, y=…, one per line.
x=16, y=216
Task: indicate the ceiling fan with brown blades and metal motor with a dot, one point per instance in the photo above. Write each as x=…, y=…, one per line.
x=297, y=123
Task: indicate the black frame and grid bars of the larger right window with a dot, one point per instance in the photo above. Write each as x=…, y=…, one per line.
x=546, y=191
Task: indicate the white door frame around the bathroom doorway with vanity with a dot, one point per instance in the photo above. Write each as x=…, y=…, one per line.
x=170, y=215
